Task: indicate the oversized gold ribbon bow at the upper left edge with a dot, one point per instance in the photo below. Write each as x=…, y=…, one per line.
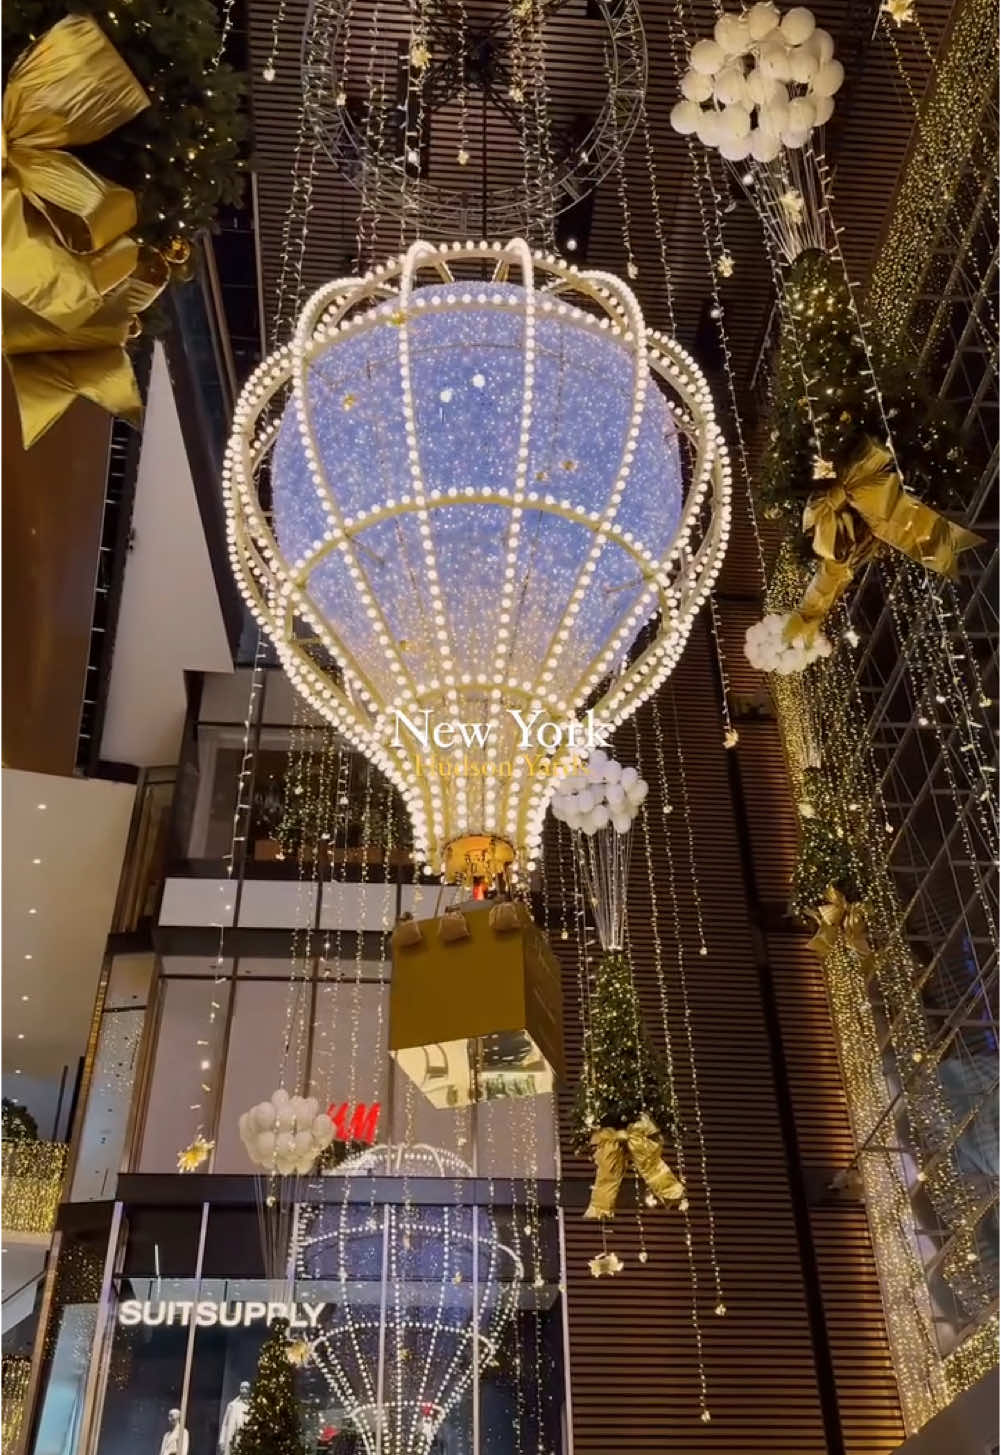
x=73, y=280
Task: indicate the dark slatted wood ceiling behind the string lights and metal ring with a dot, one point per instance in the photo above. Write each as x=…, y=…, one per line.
x=868, y=145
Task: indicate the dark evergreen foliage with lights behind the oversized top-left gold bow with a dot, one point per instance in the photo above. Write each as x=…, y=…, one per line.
x=181, y=156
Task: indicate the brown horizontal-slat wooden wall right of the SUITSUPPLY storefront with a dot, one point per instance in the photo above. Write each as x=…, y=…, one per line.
x=632, y=1350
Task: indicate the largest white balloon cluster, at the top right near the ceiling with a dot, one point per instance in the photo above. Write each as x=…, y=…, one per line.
x=781, y=68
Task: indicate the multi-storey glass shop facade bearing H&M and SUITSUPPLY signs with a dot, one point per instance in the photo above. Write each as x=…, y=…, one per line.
x=431, y=1259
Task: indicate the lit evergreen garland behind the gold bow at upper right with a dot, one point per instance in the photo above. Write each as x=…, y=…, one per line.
x=820, y=340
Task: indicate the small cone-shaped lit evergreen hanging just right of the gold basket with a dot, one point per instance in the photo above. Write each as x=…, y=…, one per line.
x=625, y=1076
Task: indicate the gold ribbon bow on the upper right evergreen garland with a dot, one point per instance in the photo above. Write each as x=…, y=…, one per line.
x=864, y=511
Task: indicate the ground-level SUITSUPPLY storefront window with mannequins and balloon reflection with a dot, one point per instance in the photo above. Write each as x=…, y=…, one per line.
x=417, y=1313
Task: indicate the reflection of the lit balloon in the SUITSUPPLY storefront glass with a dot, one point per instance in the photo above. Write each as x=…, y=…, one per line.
x=424, y=1293
